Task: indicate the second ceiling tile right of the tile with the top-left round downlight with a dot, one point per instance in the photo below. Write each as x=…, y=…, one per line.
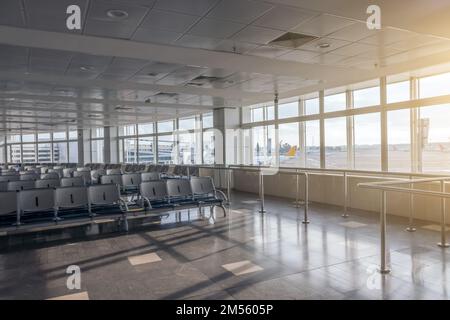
x=215, y=28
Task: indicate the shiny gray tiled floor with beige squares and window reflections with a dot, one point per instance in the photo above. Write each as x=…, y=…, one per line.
x=243, y=256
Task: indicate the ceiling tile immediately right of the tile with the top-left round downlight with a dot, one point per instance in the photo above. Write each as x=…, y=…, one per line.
x=168, y=21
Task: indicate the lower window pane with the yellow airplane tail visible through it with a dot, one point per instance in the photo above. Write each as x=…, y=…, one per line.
x=289, y=144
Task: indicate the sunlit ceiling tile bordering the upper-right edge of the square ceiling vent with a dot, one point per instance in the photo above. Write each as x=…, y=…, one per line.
x=323, y=25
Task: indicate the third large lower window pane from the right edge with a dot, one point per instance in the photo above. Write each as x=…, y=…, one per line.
x=367, y=149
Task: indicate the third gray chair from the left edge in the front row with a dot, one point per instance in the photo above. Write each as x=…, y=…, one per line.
x=69, y=198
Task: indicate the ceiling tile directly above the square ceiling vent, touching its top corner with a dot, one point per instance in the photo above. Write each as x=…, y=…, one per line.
x=283, y=18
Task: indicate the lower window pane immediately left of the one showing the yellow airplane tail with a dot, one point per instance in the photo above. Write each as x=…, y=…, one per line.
x=263, y=145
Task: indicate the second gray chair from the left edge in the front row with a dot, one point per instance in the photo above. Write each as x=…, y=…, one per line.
x=34, y=201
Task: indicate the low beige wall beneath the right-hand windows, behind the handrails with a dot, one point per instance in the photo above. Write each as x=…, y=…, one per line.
x=328, y=188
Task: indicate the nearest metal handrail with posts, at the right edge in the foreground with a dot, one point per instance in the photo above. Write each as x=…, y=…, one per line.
x=386, y=186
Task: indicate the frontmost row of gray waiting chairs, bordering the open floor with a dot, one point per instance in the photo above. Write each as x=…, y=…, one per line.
x=160, y=195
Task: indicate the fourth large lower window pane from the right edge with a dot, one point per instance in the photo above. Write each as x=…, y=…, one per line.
x=336, y=143
